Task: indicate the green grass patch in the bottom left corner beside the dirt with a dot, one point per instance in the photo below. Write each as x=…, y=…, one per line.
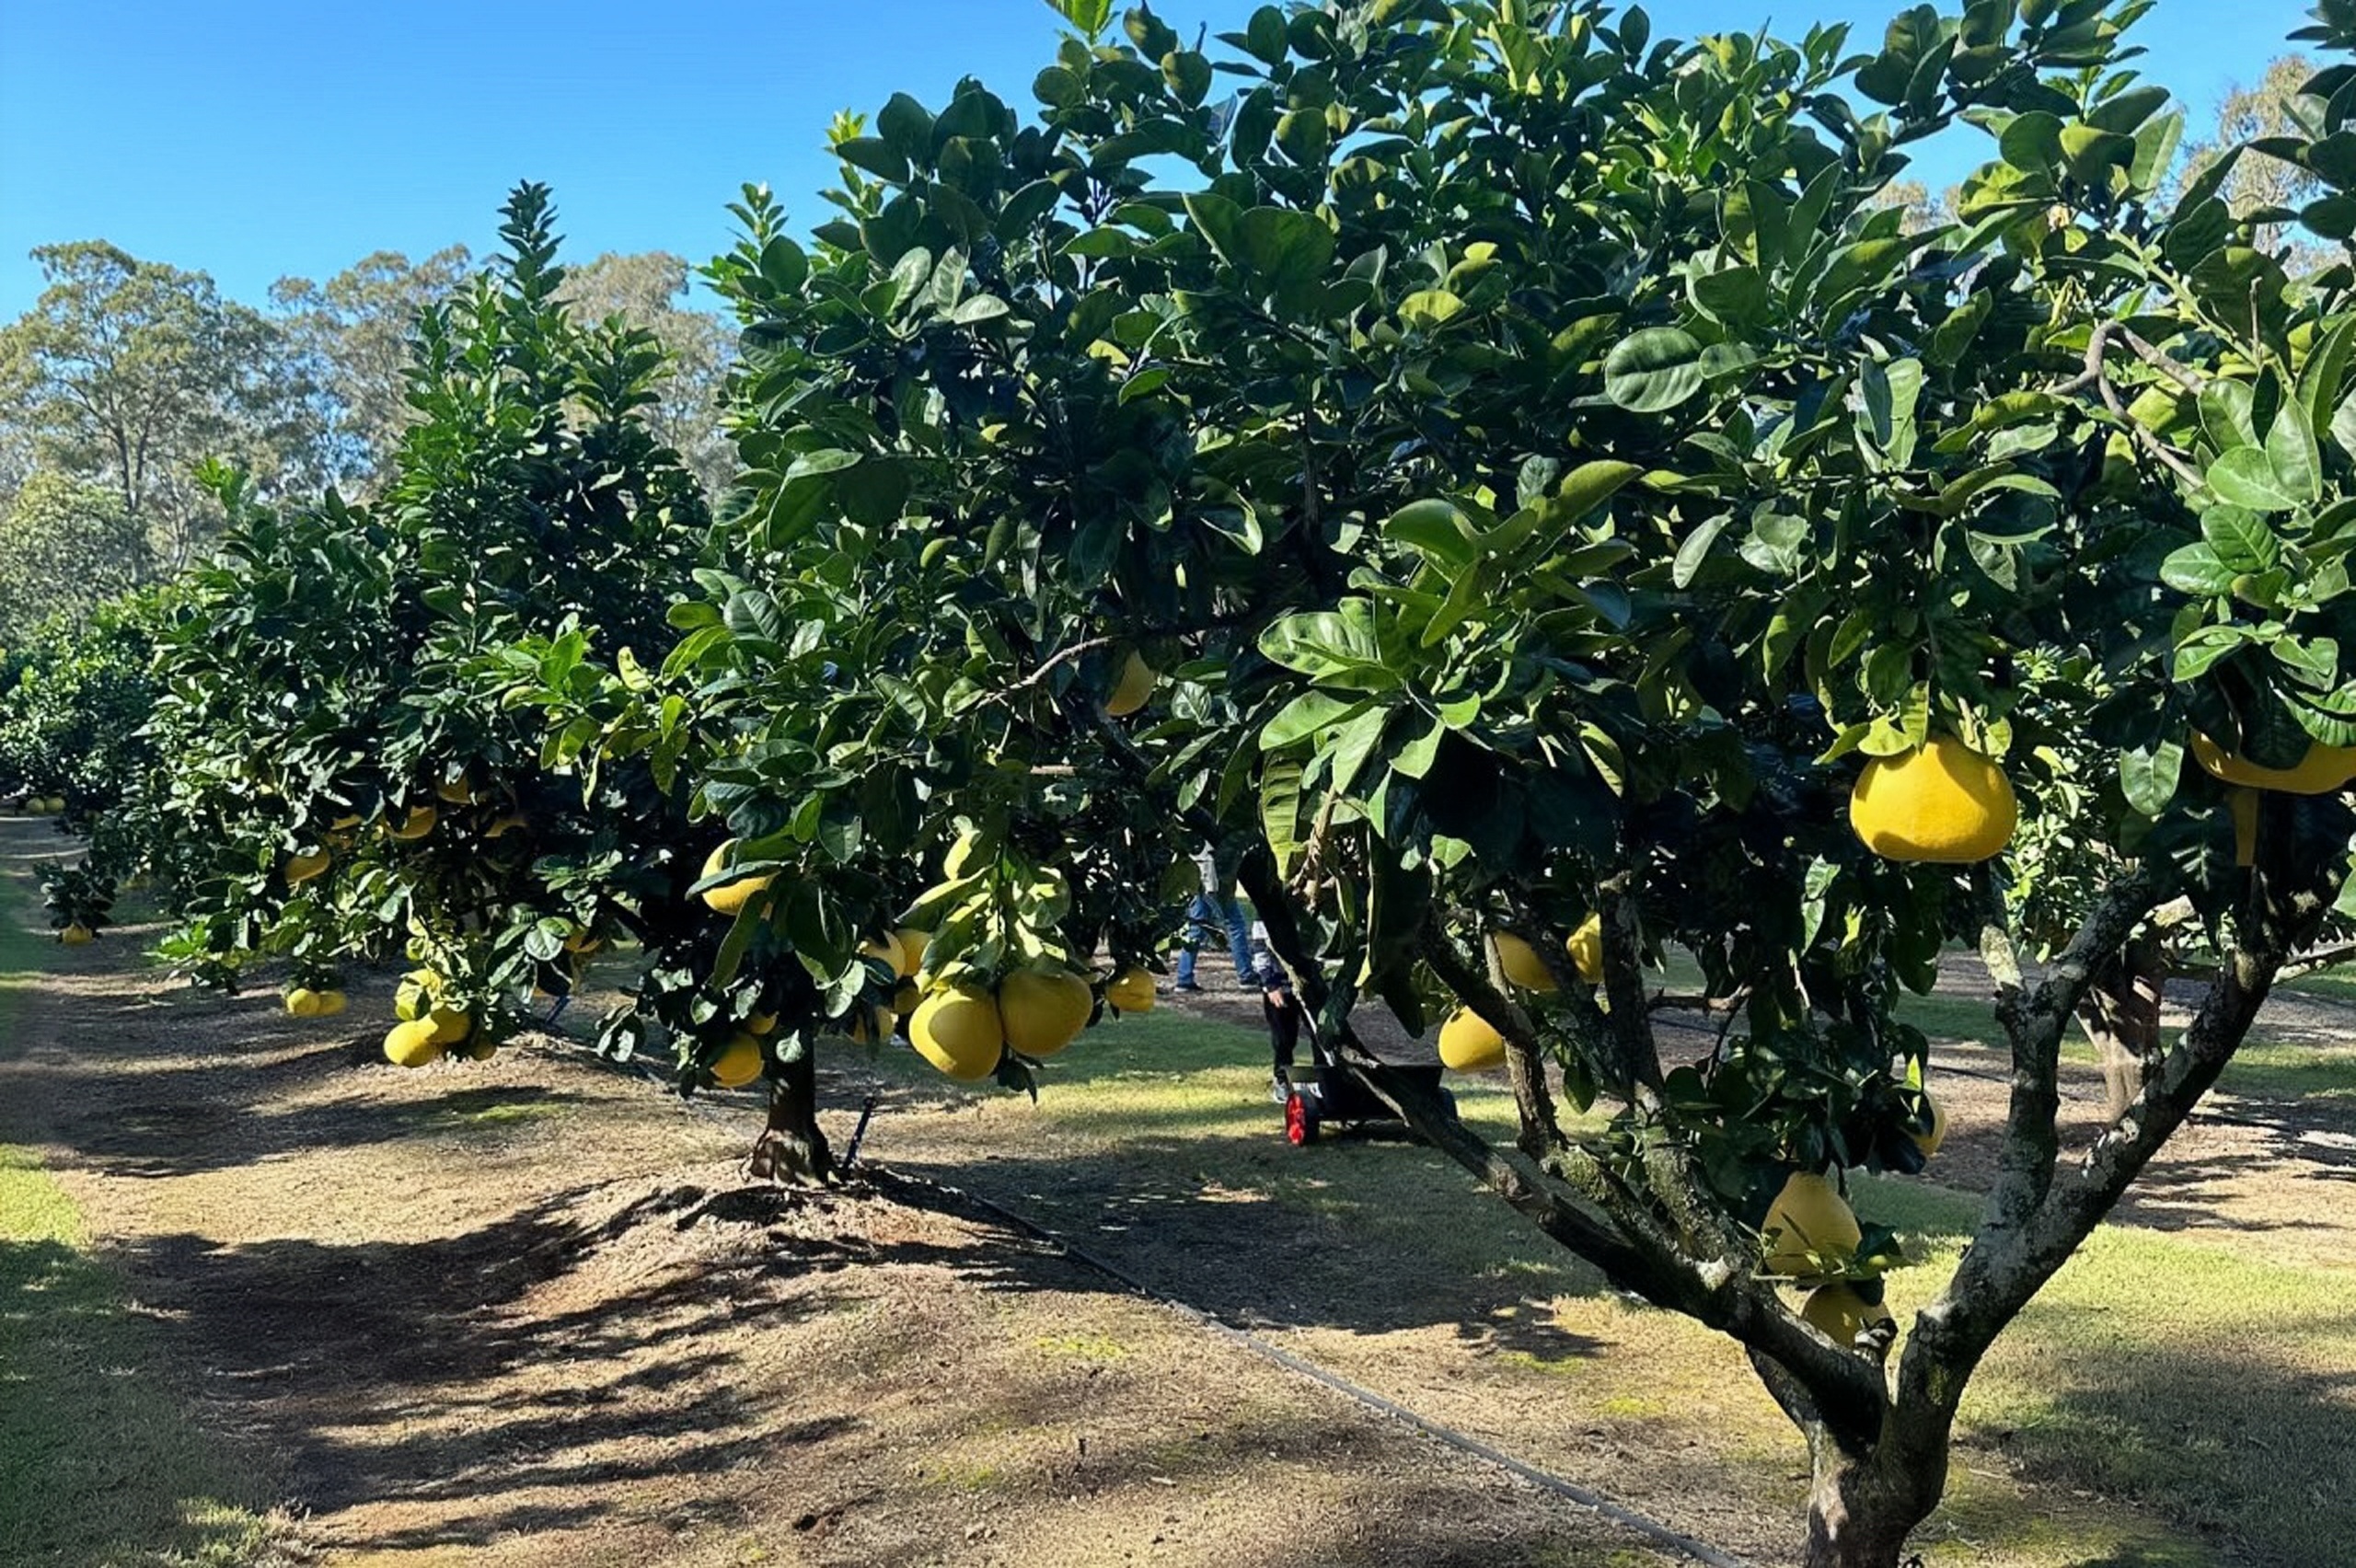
x=98, y=1463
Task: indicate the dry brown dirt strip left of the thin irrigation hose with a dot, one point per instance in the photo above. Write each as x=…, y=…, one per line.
x=529, y=1315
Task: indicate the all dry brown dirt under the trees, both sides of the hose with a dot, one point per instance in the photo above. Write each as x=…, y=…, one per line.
x=527, y=1313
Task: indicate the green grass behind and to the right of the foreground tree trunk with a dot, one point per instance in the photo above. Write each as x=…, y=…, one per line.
x=2209, y=1393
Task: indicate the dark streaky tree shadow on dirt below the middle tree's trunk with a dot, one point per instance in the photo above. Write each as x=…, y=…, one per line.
x=522, y=1357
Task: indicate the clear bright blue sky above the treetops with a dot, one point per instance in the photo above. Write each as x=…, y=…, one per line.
x=267, y=138
